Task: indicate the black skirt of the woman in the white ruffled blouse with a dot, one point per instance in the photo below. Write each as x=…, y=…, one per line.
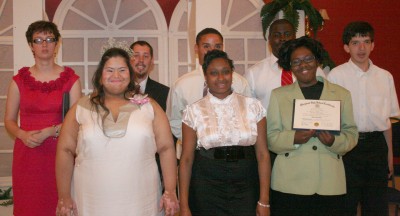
x=219, y=187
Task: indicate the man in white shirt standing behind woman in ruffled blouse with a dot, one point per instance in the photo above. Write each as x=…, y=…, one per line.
x=190, y=87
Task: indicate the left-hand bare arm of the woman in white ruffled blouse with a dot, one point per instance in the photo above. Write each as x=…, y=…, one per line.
x=185, y=167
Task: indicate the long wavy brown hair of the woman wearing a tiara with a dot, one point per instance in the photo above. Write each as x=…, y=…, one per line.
x=97, y=98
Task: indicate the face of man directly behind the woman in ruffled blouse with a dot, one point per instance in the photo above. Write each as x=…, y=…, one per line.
x=208, y=42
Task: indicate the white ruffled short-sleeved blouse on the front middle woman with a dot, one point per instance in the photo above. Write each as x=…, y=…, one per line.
x=231, y=121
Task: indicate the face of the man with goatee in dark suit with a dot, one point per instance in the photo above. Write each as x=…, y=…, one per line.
x=141, y=61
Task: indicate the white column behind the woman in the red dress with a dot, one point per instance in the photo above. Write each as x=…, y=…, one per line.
x=25, y=12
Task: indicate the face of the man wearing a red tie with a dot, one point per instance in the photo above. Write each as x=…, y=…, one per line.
x=279, y=34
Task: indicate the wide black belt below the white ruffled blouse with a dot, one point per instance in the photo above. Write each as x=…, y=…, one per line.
x=228, y=153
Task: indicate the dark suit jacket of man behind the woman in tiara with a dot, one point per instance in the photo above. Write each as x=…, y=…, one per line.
x=158, y=92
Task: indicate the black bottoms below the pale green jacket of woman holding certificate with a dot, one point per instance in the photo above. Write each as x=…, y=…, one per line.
x=283, y=204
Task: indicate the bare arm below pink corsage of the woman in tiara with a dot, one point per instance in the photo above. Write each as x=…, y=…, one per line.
x=166, y=150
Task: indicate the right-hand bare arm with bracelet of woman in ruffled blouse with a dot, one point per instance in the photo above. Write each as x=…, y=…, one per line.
x=264, y=167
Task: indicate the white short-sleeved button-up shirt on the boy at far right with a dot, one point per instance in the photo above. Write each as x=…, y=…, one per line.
x=373, y=95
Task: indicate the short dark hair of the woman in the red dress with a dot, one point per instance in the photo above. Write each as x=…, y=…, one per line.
x=42, y=26
